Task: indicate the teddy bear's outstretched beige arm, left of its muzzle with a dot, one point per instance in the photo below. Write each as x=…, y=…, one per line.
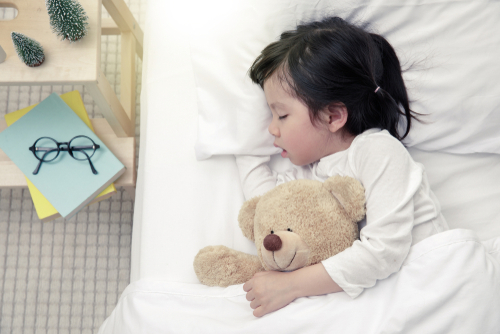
x=222, y=266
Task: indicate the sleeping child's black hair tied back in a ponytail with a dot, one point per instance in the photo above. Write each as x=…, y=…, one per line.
x=333, y=61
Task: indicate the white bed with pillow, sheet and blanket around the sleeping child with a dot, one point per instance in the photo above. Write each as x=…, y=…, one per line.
x=199, y=109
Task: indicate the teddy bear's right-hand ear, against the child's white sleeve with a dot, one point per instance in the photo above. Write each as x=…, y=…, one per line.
x=350, y=193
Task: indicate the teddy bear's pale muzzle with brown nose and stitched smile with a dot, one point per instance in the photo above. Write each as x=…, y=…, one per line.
x=284, y=251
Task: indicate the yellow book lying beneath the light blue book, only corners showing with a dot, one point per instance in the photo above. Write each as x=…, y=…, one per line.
x=45, y=211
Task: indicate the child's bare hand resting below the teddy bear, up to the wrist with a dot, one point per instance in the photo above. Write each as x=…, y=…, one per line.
x=269, y=291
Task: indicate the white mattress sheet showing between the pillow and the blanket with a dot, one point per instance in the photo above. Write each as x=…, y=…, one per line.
x=183, y=204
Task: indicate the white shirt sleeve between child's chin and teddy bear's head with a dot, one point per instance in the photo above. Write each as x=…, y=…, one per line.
x=257, y=177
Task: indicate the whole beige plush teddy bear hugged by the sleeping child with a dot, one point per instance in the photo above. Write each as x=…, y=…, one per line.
x=296, y=224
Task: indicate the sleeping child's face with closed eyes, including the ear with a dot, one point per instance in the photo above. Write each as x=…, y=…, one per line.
x=301, y=141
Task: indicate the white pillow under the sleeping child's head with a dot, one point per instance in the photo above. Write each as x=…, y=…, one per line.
x=454, y=45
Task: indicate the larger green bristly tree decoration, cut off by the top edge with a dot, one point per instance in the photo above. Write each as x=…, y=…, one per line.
x=68, y=19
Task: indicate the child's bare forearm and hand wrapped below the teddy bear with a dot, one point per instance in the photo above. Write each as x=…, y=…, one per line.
x=269, y=291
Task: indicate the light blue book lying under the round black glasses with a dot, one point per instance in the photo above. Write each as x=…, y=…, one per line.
x=67, y=183
